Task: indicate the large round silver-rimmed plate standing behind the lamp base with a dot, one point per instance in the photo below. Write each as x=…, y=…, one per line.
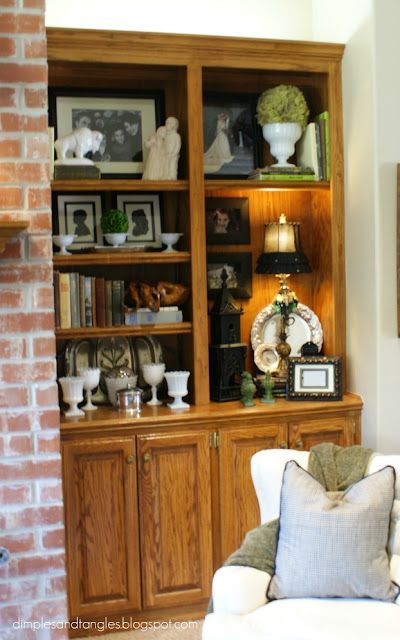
x=305, y=327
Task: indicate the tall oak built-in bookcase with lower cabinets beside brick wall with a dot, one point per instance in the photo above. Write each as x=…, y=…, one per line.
x=194, y=466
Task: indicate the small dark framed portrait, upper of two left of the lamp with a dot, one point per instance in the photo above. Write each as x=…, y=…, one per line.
x=227, y=221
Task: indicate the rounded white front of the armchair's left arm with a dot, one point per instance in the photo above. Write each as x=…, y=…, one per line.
x=239, y=590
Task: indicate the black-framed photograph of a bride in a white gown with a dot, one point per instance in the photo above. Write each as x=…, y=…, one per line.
x=232, y=142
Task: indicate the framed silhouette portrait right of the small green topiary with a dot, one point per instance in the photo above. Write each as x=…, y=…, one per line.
x=144, y=216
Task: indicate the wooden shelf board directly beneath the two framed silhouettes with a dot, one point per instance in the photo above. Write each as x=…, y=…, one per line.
x=123, y=257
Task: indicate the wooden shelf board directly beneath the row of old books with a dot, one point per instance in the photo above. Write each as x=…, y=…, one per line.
x=125, y=330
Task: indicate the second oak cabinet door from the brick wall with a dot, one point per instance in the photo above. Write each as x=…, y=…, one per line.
x=175, y=518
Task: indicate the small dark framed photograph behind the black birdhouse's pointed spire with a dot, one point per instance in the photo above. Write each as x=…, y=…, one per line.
x=235, y=268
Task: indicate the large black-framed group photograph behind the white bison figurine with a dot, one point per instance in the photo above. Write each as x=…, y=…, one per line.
x=125, y=121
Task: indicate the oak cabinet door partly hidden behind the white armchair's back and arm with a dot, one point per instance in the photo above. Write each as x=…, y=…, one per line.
x=239, y=510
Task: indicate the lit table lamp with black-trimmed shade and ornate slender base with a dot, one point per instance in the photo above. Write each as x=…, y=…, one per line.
x=282, y=257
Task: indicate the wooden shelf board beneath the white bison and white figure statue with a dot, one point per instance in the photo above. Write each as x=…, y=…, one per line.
x=119, y=185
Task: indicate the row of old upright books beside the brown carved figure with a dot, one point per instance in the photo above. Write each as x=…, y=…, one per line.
x=87, y=301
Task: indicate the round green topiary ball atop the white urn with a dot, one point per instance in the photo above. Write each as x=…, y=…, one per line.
x=283, y=103
